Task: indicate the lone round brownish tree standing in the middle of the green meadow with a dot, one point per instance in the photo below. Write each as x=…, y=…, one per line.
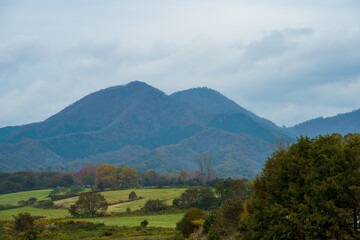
x=89, y=204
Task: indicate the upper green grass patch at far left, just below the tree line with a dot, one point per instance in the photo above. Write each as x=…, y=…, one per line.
x=13, y=198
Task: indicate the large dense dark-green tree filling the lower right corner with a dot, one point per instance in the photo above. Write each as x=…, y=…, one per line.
x=309, y=191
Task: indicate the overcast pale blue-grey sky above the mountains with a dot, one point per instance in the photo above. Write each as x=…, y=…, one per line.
x=287, y=61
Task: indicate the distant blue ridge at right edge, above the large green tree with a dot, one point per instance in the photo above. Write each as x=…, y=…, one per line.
x=342, y=123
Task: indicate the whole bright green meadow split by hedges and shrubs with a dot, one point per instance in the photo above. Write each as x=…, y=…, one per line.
x=163, y=220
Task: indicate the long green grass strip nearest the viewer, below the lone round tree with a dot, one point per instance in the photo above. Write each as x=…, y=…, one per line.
x=163, y=220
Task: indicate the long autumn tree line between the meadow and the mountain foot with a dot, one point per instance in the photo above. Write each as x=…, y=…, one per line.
x=103, y=176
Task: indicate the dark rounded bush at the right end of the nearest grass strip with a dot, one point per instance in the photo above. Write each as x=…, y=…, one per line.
x=185, y=225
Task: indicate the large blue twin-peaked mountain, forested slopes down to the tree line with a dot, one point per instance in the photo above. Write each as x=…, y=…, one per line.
x=140, y=126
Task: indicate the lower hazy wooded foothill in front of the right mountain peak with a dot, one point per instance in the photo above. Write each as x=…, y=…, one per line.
x=233, y=154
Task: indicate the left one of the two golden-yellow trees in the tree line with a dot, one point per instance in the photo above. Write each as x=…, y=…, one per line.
x=106, y=174
